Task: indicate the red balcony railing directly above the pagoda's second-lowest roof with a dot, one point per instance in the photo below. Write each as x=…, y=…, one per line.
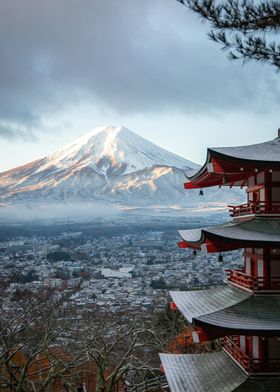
x=253, y=283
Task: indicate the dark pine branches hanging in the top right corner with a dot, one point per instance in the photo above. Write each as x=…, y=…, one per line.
x=247, y=29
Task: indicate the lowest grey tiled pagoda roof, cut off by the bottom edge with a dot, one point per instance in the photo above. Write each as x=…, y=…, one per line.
x=211, y=372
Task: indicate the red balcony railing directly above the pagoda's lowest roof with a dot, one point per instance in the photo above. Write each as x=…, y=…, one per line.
x=251, y=365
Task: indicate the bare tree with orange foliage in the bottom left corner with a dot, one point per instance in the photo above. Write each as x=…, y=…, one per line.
x=32, y=357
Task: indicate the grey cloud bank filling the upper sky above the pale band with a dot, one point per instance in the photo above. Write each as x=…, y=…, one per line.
x=133, y=56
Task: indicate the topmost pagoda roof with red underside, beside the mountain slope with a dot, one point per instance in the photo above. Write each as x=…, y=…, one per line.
x=233, y=165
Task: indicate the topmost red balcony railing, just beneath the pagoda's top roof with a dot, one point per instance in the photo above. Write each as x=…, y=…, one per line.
x=254, y=209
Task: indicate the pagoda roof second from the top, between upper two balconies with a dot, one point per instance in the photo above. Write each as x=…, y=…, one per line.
x=257, y=231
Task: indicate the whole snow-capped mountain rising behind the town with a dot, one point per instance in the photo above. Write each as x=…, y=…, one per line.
x=109, y=164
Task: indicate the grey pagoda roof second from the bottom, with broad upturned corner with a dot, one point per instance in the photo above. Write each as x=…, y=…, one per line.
x=230, y=309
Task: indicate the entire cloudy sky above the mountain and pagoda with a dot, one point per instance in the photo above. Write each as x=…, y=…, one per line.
x=67, y=66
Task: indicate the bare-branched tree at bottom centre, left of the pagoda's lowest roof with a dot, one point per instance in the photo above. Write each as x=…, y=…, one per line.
x=116, y=348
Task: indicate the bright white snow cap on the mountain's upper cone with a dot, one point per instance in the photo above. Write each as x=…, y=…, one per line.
x=114, y=150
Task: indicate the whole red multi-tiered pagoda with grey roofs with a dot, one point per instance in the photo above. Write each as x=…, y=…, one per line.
x=244, y=314
